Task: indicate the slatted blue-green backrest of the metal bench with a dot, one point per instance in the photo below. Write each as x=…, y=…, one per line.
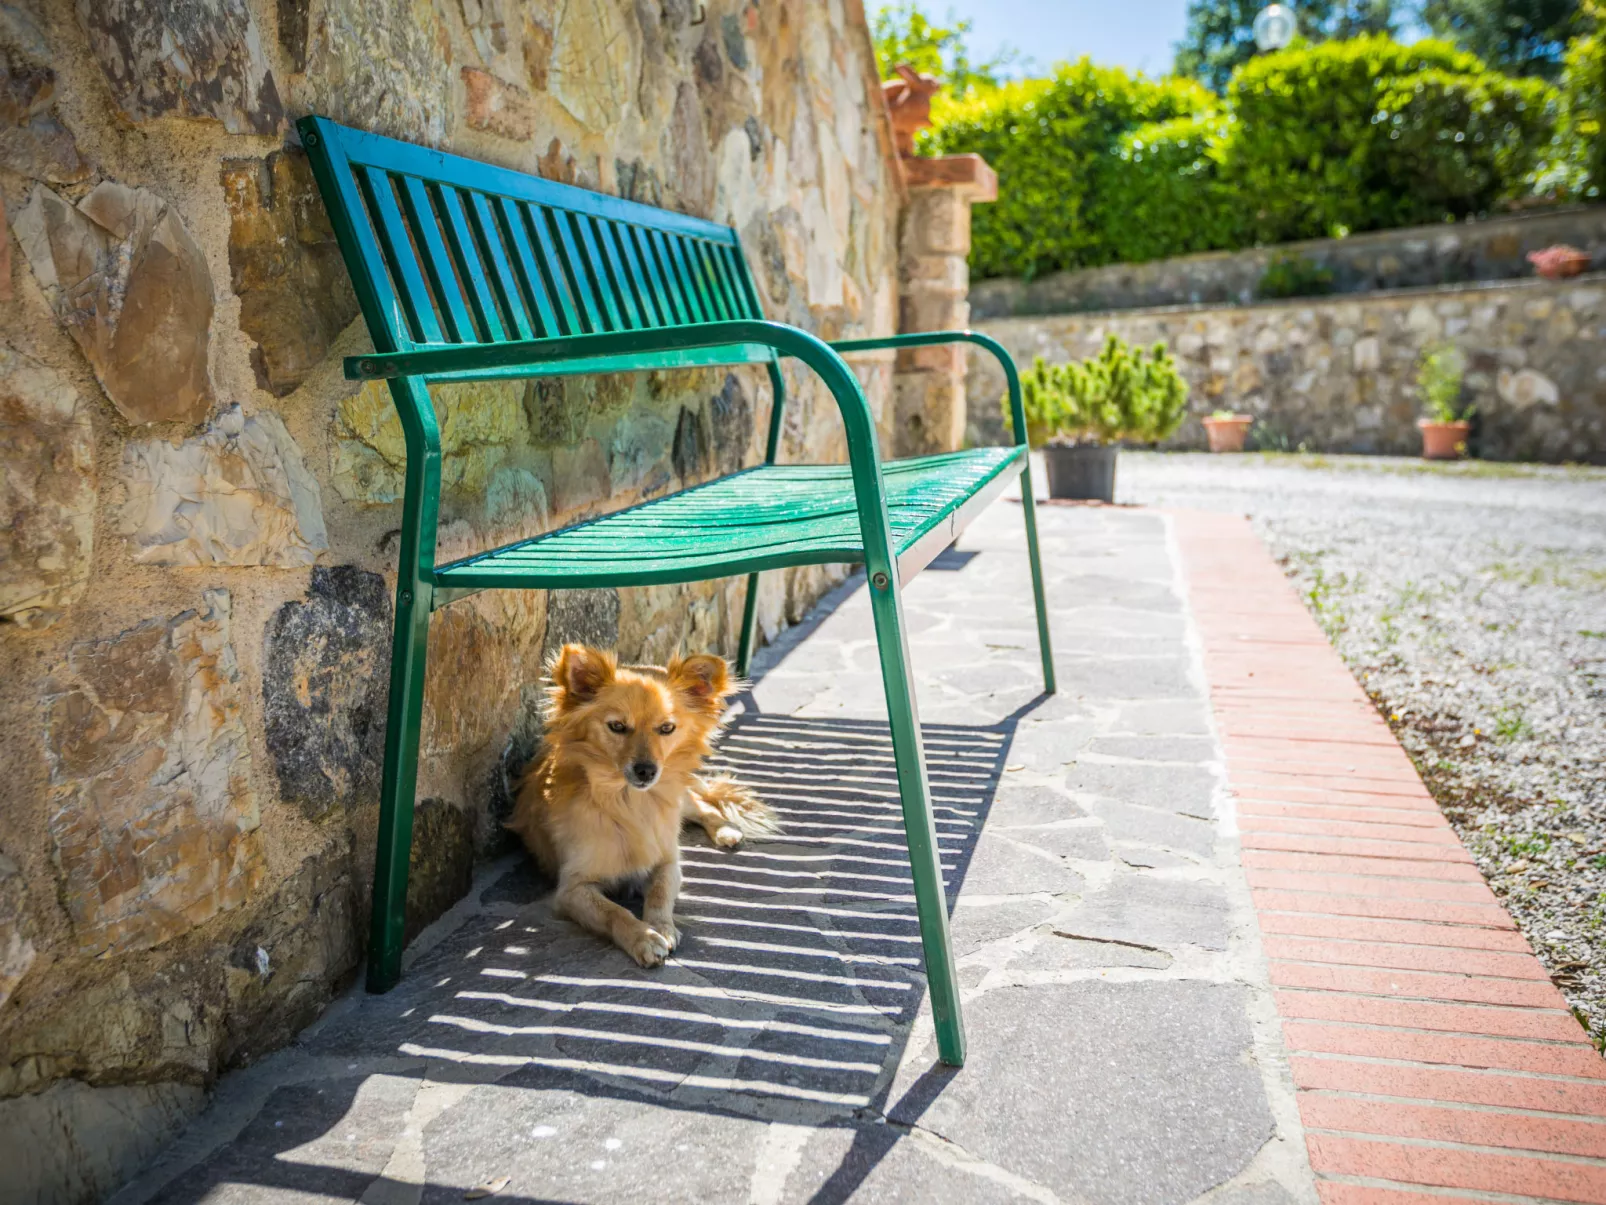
x=447, y=251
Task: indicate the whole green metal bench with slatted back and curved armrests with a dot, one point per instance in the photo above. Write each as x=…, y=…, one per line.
x=470, y=272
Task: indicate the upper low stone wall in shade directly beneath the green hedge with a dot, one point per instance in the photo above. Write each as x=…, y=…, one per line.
x=1387, y=259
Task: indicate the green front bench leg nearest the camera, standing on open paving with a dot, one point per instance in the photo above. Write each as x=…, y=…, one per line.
x=926, y=862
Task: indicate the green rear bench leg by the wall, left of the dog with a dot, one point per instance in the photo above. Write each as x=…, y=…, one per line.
x=388, y=926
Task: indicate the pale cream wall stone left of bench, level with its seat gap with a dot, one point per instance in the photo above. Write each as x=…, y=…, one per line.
x=238, y=494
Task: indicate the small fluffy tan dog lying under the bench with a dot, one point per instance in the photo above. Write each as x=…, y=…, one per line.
x=618, y=778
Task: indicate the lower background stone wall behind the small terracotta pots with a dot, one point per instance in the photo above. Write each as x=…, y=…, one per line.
x=1339, y=375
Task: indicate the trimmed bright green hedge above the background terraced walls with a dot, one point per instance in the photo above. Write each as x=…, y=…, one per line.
x=1098, y=166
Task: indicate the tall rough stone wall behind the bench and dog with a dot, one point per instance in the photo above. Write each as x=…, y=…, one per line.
x=198, y=515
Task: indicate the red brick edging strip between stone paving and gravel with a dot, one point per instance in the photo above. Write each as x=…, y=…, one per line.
x=1433, y=1058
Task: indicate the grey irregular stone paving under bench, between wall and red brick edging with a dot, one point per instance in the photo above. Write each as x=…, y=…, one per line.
x=1123, y=1035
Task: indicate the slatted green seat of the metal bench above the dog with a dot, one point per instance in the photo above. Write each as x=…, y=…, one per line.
x=765, y=518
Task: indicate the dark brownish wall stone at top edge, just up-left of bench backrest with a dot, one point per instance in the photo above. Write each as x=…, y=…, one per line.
x=202, y=59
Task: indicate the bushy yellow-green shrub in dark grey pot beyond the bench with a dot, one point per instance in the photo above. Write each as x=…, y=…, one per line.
x=1078, y=412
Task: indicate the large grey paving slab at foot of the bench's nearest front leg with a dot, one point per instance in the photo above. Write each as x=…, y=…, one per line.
x=1156, y=1080
